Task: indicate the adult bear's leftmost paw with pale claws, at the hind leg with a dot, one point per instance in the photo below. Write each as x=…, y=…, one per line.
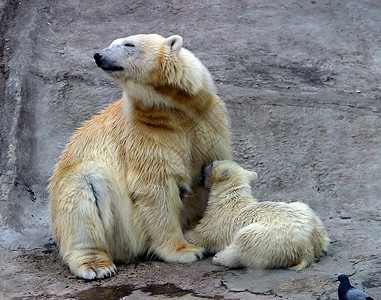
x=93, y=267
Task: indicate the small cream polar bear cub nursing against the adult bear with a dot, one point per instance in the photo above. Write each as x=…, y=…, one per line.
x=255, y=234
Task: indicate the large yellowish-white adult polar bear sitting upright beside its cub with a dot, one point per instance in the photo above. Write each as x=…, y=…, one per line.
x=114, y=195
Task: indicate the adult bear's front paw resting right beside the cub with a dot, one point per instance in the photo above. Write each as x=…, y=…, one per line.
x=183, y=253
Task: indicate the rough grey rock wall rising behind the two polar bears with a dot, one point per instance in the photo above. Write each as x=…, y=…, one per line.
x=301, y=82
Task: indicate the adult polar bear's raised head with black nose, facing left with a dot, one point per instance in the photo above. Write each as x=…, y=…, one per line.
x=154, y=61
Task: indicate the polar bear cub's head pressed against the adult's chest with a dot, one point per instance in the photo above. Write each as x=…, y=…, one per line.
x=227, y=174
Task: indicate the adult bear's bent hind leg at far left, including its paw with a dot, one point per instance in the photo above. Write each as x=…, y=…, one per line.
x=82, y=219
